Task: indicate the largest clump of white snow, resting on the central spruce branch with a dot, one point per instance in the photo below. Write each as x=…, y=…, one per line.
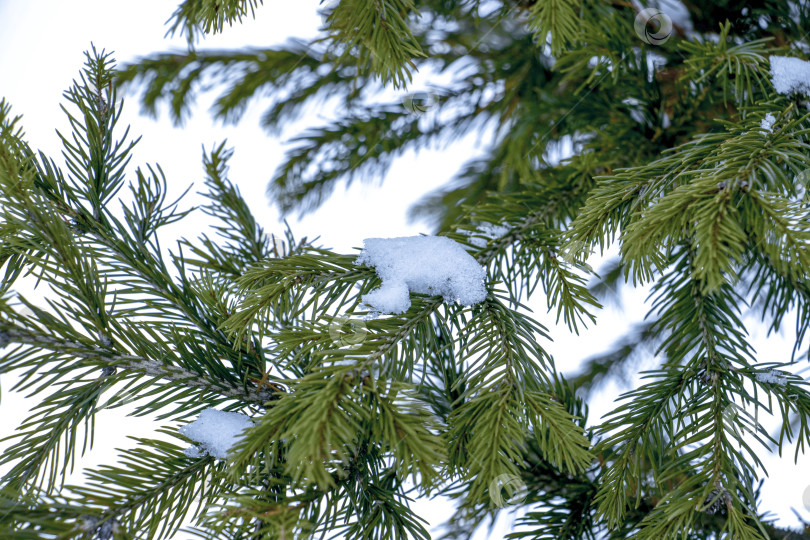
x=434, y=265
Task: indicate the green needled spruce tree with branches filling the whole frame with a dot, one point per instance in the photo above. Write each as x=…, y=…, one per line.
x=685, y=140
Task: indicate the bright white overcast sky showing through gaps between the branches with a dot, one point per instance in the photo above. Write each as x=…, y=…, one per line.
x=41, y=51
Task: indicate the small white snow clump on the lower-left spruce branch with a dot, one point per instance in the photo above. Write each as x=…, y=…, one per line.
x=216, y=431
